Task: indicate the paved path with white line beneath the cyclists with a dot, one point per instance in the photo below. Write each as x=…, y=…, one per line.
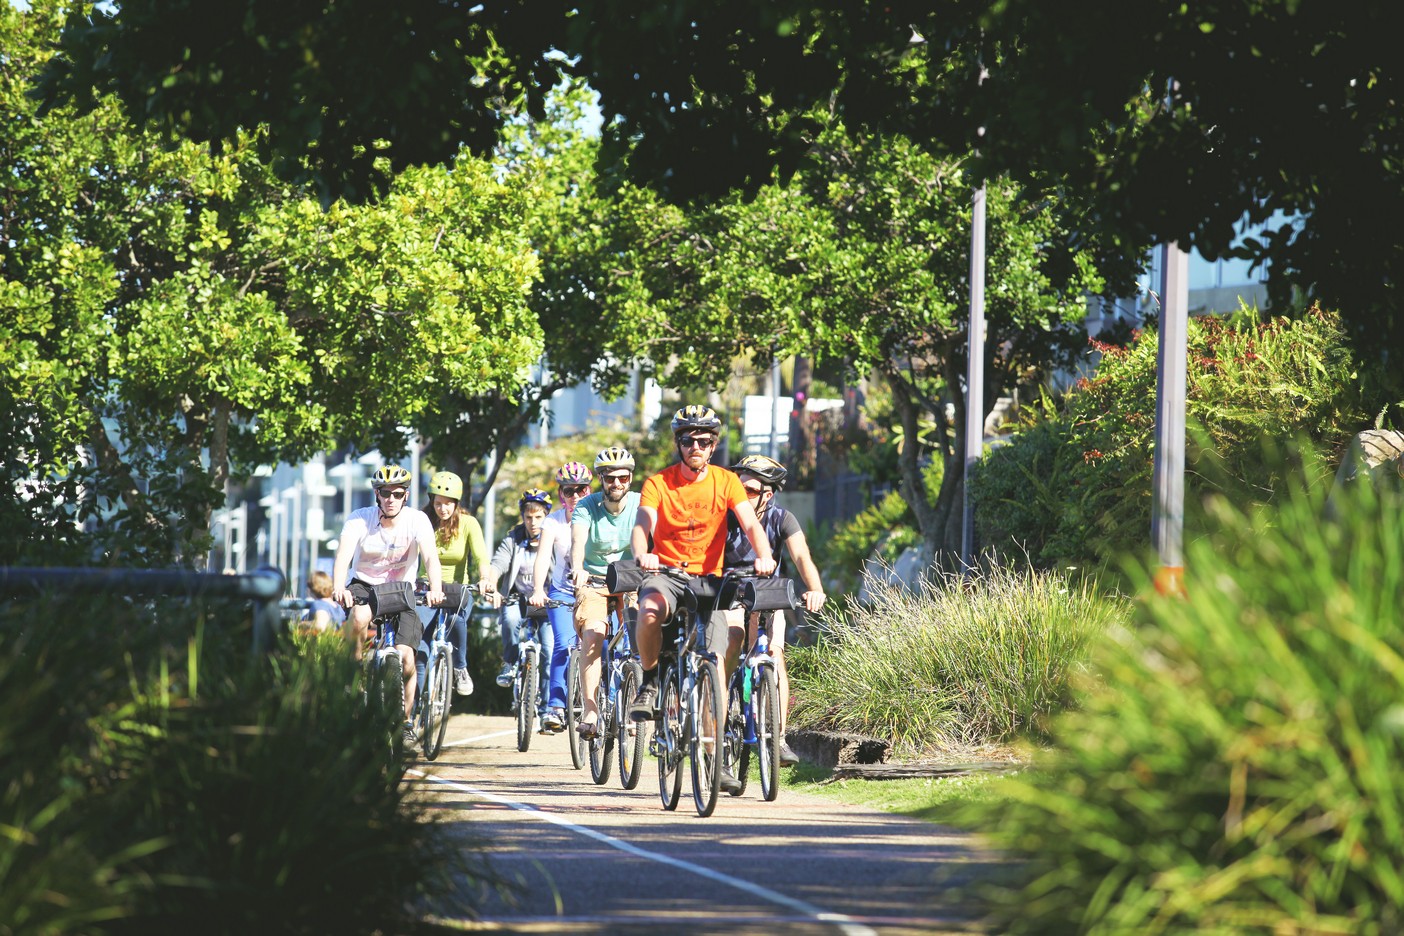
x=600, y=860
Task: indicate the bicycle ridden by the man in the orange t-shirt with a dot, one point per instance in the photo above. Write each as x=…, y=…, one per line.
x=690, y=709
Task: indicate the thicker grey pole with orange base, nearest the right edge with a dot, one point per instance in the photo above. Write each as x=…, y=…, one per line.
x=1169, y=510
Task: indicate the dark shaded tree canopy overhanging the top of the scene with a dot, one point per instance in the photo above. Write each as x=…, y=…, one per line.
x=1172, y=121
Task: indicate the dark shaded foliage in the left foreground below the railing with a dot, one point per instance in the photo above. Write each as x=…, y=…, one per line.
x=158, y=781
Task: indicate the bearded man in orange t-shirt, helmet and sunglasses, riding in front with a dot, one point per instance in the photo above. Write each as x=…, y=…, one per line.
x=682, y=513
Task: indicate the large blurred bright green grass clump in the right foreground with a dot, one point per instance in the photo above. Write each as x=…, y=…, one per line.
x=1236, y=767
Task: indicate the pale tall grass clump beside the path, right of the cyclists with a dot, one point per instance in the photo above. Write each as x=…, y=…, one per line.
x=954, y=664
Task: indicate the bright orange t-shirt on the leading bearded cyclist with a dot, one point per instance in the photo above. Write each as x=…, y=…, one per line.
x=691, y=514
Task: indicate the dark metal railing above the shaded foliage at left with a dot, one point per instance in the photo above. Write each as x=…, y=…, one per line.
x=263, y=589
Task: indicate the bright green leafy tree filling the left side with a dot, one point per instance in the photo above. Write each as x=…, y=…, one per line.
x=172, y=314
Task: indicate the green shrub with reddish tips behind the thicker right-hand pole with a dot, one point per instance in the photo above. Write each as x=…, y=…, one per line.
x=1075, y=489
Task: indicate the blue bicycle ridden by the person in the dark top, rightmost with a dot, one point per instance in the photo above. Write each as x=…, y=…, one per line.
x=753, y=691
